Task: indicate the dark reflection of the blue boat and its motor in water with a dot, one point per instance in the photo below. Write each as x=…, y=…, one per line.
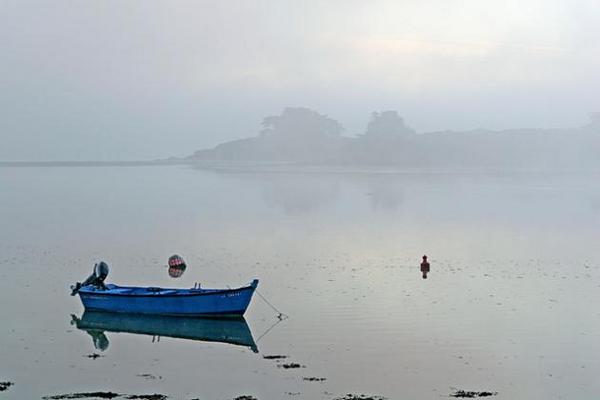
x=231, y=330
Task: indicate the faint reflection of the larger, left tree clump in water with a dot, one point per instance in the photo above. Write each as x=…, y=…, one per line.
x=300, y=194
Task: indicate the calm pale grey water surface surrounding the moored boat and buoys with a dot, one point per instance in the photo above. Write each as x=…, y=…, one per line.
x=510, y=304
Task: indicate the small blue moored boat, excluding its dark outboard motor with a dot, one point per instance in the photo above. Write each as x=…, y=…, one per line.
x=196, y=302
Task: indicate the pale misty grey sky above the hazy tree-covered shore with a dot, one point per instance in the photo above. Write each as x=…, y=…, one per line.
x=121, y=80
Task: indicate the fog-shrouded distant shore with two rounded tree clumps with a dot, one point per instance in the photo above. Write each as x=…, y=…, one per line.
x=303, y=136
